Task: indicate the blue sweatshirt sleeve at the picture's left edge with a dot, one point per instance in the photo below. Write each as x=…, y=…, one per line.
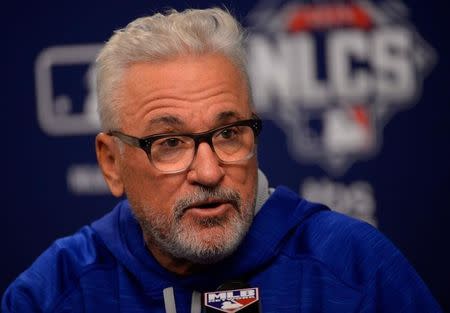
x=52, y=280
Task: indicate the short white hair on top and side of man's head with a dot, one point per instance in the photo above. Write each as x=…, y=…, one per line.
x=158, y=38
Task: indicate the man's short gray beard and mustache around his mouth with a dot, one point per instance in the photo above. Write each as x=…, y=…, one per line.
x=184, y=241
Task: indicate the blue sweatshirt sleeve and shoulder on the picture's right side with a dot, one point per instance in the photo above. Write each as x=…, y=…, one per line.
x=361, y=256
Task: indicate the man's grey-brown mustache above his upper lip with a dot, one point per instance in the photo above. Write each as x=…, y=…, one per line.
x=206, y=194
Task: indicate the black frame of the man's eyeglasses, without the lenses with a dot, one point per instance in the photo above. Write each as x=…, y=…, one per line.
x=145, y=143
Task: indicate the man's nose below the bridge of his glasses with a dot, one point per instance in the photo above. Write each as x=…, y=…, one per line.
x=205, y=169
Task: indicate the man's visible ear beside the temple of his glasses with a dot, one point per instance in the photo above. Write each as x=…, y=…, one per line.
x=108, y=157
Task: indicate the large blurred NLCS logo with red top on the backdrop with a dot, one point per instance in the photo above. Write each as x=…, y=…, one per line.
x=332, y=74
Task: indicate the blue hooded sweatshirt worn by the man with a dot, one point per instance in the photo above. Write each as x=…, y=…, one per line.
x=302, y=256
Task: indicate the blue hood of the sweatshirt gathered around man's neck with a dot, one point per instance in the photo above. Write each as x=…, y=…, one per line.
x=283, y=211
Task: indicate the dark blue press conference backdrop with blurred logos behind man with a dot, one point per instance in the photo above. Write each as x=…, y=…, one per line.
x=354, y=97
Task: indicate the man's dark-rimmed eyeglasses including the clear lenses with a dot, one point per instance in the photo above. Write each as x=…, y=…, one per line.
x=173, y=153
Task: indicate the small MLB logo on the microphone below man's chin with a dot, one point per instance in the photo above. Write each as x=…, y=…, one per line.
x=231, y=300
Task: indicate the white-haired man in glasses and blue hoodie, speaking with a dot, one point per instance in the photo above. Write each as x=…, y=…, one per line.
x=179, y=140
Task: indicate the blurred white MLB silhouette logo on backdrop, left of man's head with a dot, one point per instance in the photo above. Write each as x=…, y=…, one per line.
x=65, y=90
